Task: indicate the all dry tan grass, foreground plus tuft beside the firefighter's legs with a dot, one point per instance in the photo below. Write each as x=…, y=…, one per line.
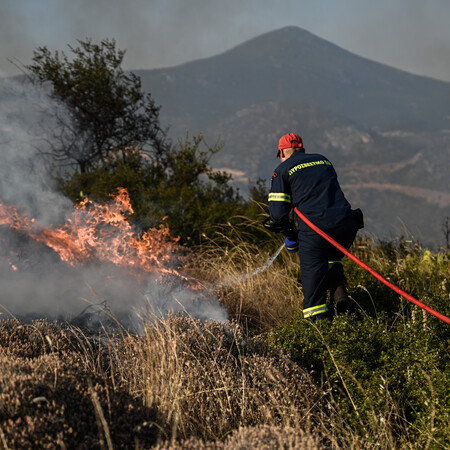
x=182, y=383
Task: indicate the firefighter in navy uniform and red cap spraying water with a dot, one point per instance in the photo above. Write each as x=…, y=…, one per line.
x=309, y=182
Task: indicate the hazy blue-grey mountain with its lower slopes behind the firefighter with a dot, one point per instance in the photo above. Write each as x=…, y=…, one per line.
x=386, y=131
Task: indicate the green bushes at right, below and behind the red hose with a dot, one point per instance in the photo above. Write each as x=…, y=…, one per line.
x=386, y=367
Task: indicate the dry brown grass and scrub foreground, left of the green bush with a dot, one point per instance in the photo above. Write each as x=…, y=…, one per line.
x=180, y=380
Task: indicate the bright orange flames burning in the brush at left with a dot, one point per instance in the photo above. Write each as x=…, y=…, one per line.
x=99, y=232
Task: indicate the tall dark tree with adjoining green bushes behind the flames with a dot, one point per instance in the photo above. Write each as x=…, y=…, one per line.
x=116, y=141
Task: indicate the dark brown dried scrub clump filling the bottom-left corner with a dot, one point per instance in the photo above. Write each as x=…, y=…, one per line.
x=54, y=391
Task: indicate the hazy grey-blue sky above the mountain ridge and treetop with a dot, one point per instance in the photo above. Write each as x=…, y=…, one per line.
x=412, y=35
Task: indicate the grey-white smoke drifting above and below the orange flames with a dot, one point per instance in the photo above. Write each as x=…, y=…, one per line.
x=34, y=282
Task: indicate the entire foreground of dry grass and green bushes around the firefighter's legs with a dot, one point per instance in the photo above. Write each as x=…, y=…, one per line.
x=377, y=377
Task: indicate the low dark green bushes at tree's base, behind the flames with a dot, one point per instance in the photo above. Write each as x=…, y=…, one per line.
x=194, y=198
